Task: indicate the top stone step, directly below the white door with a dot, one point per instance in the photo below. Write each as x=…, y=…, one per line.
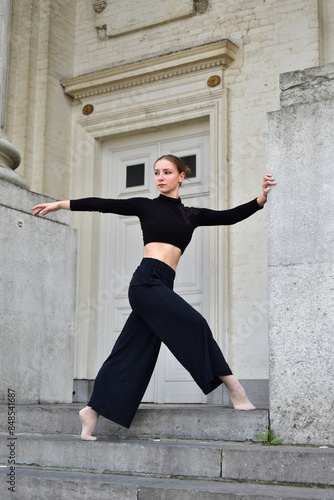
x=151, y=421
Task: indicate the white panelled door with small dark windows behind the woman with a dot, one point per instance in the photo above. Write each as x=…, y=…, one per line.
x=128, y=171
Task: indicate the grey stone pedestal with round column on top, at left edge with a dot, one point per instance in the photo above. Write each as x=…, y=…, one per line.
x=37, y=278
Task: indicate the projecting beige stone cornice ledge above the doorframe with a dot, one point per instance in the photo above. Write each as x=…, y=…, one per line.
x=154, y=69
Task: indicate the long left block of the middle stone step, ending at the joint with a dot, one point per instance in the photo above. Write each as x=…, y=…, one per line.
x=164, y=459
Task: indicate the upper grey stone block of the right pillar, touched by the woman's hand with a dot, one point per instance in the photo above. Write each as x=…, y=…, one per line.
x=301, y=152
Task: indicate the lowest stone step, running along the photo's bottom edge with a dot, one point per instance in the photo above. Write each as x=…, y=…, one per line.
x=34, y=484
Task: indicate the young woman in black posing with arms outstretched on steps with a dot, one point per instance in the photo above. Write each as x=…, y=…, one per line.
x=159, y=314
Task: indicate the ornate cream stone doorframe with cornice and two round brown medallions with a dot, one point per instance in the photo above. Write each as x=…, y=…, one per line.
x=147, y=95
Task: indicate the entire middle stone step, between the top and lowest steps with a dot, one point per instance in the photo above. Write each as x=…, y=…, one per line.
x=209, y=460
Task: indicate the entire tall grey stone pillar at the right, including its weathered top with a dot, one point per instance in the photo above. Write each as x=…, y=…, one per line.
x=301, y=258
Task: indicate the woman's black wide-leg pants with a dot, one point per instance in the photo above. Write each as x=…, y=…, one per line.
x=158, y=315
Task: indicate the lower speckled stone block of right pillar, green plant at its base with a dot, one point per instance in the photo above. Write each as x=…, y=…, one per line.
x=302, y=353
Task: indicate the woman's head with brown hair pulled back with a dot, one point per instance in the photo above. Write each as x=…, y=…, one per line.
x=167, y=178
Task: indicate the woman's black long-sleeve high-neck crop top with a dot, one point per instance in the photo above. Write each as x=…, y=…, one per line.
x=166, y=219
